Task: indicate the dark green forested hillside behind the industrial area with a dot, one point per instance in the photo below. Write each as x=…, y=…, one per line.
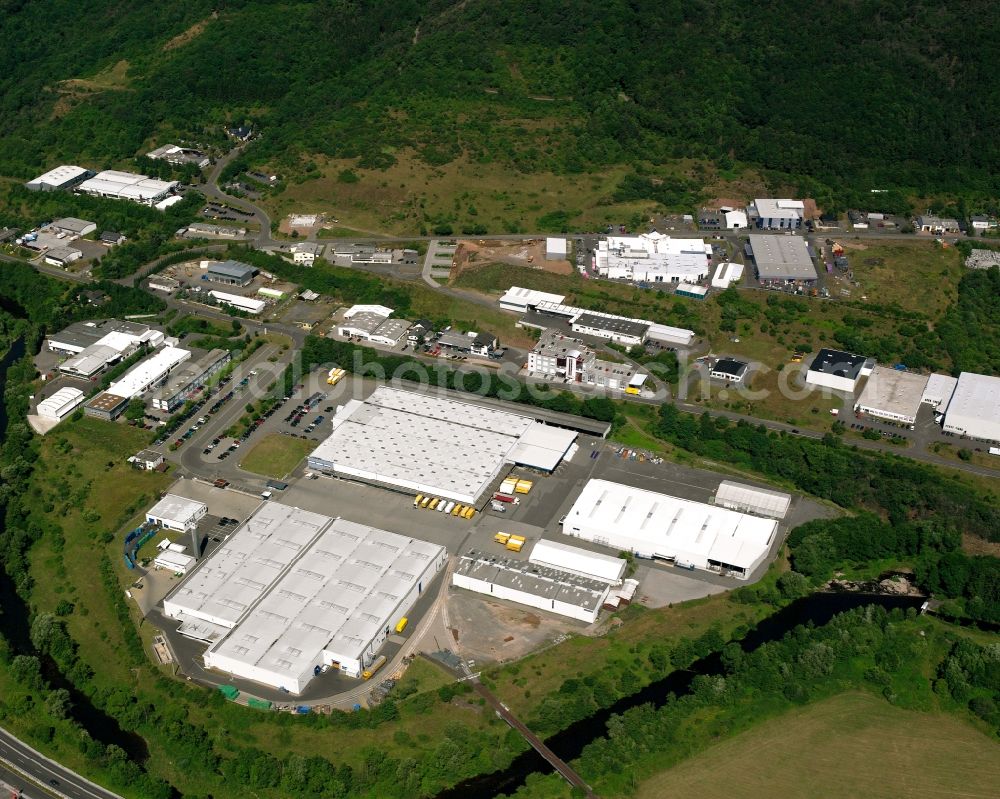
x=836, y=97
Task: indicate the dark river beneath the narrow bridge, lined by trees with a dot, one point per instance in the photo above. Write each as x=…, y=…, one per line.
x=817, y=609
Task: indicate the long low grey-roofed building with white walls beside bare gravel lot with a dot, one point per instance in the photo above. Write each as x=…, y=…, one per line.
x=536, y=586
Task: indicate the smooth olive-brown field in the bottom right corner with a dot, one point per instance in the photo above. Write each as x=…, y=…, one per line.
x=851, y=745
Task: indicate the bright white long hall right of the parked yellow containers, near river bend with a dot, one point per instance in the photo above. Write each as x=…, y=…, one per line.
x=654, y=525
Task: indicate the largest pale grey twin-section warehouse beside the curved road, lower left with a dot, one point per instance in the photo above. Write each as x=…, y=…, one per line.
x=293, y=591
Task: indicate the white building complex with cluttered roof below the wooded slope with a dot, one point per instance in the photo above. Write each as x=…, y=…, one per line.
x=653, y=258
